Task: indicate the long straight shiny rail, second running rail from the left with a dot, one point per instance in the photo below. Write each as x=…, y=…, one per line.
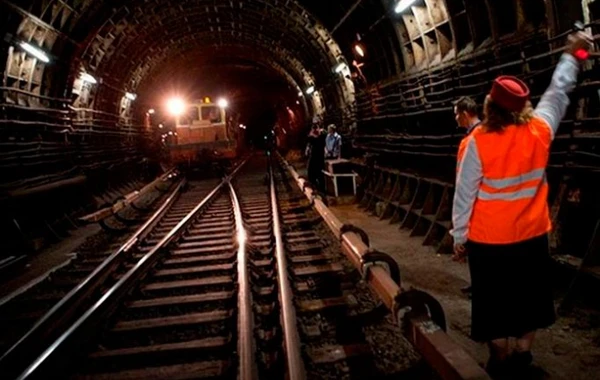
x=49, y=361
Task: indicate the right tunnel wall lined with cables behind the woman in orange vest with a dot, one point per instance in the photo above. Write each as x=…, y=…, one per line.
x=456, y=48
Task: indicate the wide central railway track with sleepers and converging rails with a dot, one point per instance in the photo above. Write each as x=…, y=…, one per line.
x=248, y=284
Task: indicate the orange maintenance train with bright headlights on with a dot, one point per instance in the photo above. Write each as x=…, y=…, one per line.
x=203, y=133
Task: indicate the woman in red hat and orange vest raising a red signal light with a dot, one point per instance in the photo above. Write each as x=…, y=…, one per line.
x=500, y=213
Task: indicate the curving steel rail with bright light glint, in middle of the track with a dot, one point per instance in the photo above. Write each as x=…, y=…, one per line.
x=247, y=365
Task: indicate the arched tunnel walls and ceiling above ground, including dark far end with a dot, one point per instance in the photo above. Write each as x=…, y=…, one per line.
x=74, y=122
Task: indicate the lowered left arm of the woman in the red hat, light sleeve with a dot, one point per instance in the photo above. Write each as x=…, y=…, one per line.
x=468, y=179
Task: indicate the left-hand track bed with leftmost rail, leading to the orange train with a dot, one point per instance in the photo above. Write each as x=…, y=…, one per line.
x=38, y=312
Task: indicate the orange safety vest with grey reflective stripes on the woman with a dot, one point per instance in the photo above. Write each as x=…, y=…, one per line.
x=512, y=202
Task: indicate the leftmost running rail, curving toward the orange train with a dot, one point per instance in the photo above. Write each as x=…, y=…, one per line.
x=53, y=321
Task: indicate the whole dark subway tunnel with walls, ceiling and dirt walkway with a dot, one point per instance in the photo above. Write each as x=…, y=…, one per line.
x=84, y=126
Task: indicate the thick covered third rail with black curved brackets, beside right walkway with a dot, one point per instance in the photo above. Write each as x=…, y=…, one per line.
x=410, y=308
